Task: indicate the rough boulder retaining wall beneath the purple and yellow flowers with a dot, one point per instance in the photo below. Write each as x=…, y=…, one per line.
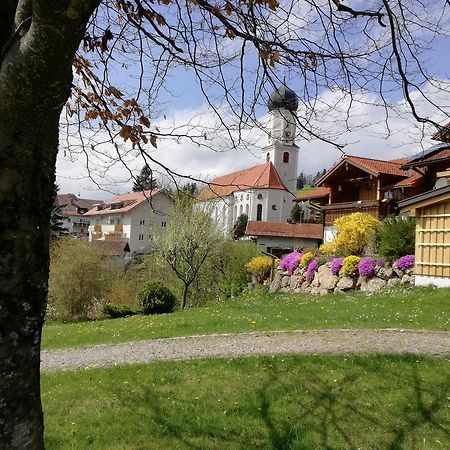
x=324, y=281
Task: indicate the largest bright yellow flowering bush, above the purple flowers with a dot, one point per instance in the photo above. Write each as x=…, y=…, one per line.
x=353, y=234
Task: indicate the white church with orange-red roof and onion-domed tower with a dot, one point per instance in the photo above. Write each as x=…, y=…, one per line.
x=265, y=191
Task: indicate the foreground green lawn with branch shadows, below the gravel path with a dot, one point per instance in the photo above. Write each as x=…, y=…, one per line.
x=298, y=402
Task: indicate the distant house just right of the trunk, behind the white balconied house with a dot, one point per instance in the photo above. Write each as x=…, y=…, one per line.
x=73, y=210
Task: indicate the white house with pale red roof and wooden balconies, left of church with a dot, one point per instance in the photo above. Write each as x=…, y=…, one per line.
x=129, y=217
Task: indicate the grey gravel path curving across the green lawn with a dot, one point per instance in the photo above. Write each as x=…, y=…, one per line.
x=435, y=343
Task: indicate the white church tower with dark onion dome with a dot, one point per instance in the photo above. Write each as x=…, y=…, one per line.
x=281, y=149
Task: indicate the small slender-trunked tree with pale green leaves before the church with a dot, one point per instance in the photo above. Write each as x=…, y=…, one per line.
x=191, y=238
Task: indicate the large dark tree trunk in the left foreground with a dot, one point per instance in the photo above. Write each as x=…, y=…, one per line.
x=35, y=79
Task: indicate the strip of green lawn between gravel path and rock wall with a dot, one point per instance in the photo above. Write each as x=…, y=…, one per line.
x=410, y=307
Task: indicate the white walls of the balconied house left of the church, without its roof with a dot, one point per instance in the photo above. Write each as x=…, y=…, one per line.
x=133, y=225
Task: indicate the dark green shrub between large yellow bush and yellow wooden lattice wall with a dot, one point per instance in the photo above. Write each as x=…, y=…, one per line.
x=395, y=236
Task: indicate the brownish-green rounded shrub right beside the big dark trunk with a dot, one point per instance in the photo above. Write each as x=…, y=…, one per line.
x=78, y=277
